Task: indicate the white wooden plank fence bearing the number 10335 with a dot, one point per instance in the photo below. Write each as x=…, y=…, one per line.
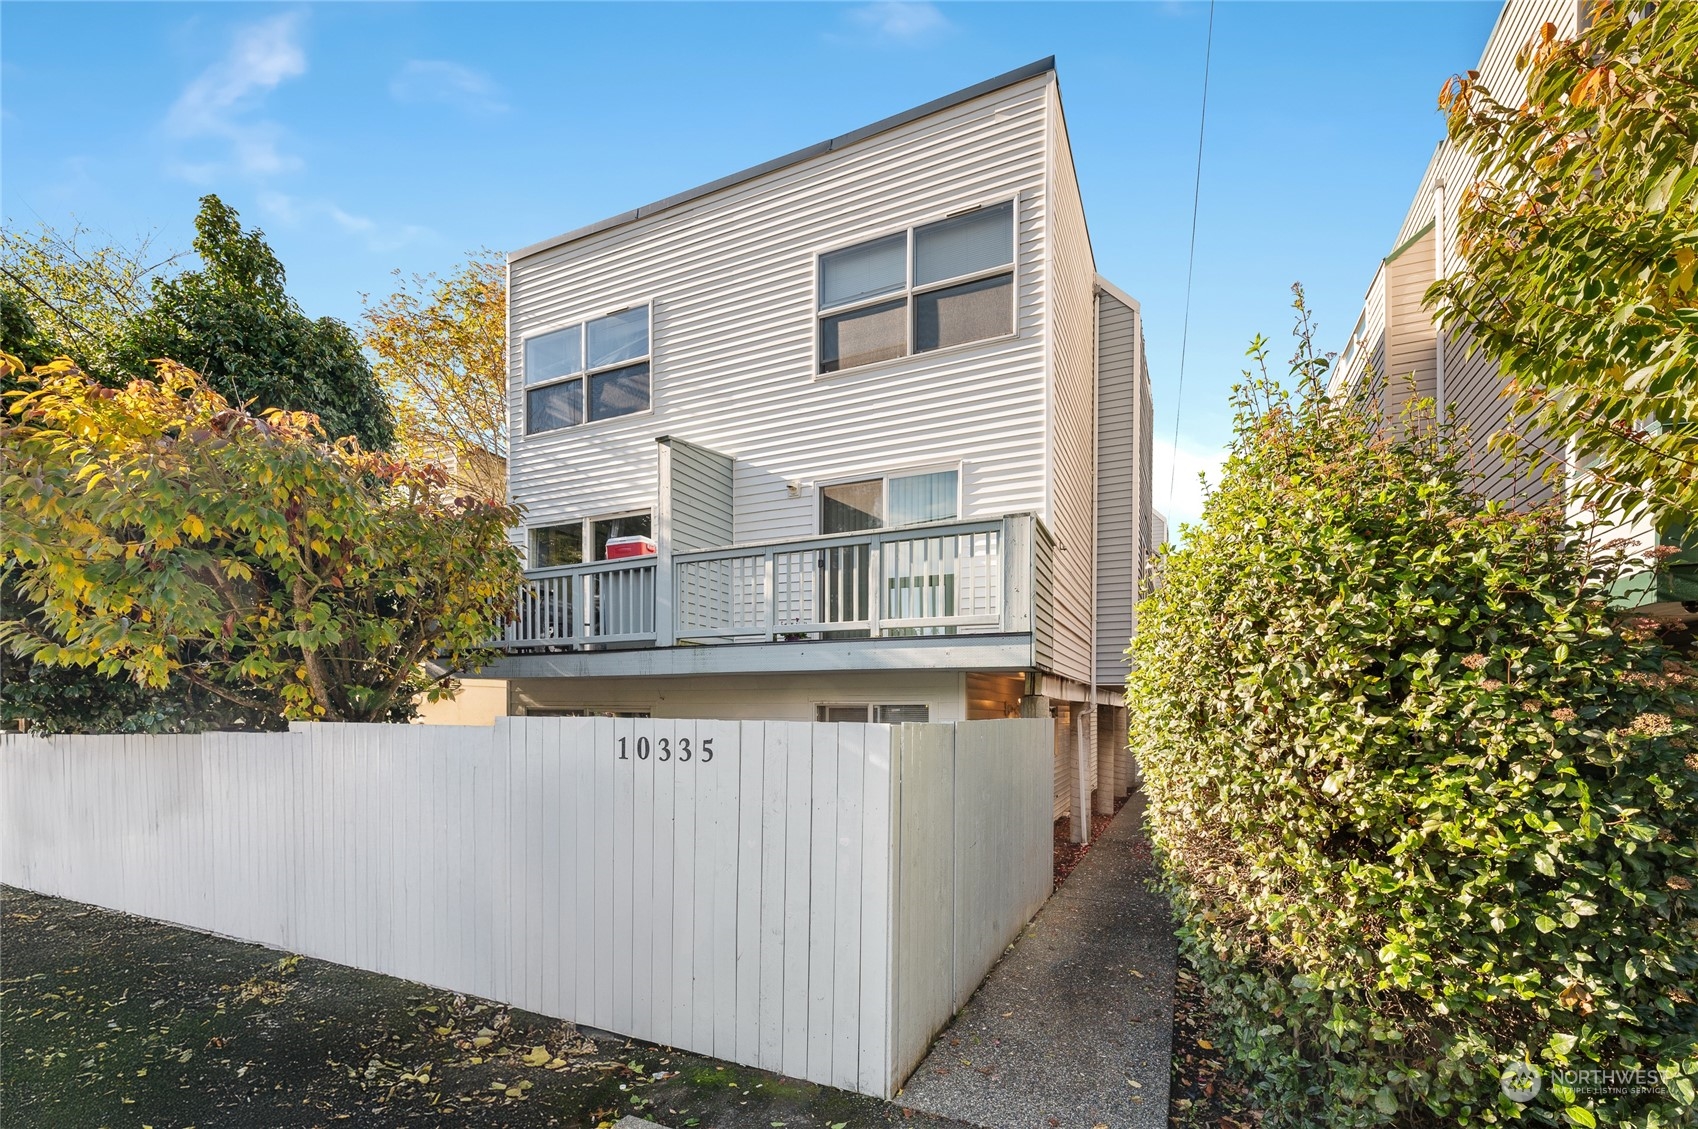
x=807, y=899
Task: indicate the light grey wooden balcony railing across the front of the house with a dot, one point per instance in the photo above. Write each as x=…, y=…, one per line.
x=936, y=580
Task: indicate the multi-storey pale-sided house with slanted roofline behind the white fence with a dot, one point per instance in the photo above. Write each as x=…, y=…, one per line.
x=857, y=434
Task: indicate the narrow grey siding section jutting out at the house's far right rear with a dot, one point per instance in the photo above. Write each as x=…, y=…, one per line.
x=1122, y=447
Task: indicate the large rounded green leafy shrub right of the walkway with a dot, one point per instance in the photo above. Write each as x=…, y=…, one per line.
x=1424, y=806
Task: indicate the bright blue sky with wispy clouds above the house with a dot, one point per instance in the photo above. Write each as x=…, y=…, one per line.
x=376, y=137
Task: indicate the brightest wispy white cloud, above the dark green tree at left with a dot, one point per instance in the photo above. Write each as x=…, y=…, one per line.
x=220, y=104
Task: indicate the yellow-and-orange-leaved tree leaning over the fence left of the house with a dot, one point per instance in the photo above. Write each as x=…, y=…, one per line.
x=167, y=532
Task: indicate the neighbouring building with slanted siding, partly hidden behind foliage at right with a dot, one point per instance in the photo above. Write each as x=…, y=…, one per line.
x=1400, y=344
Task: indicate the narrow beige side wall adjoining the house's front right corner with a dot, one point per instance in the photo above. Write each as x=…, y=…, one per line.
x=1074, y=408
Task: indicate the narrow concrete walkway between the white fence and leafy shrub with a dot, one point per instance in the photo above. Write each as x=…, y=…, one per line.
x=1072, y=1030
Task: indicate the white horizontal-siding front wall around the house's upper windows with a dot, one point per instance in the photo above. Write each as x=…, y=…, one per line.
x=731, y=283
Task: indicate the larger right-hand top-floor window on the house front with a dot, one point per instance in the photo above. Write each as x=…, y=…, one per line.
x=918, y=291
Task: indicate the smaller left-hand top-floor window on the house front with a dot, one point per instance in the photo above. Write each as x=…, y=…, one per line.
x=597, y=369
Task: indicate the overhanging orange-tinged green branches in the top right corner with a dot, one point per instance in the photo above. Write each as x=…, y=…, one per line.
x=1580, y=250
